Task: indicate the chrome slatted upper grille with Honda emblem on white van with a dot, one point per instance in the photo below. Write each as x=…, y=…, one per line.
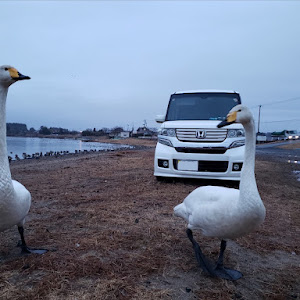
x=211, y=135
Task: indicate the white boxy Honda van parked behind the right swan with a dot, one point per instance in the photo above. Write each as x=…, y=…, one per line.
x=189, y=143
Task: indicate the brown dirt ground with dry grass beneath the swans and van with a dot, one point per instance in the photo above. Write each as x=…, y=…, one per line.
x=111, y=234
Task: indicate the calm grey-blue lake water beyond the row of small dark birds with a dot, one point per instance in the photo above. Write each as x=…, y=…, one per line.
x=20, y=145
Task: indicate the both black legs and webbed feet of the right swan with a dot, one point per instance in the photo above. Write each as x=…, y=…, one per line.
x=219, y=271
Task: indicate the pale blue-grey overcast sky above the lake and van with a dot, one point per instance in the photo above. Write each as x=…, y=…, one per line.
x=108, y=63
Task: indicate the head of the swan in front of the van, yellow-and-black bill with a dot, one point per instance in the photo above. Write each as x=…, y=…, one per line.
x=238, y=114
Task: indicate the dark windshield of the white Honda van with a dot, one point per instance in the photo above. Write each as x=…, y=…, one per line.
x=201, y=106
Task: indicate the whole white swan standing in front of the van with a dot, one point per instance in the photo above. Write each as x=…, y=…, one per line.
x=226, y=213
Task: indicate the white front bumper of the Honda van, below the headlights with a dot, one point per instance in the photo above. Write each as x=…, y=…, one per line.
x=211, y=166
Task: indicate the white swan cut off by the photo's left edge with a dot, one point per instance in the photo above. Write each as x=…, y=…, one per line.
x=15, y=199
